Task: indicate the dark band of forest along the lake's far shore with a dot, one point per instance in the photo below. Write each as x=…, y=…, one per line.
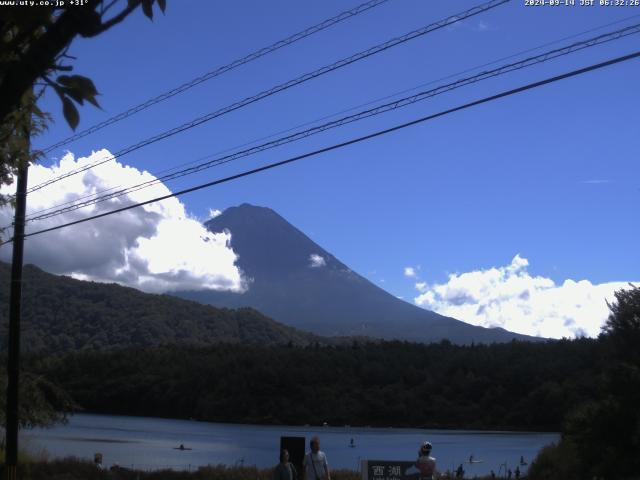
x=502, y=386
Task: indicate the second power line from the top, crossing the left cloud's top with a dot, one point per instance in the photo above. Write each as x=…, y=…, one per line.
x=284, y=86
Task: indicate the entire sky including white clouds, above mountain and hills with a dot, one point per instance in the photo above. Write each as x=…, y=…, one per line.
x=516, y=213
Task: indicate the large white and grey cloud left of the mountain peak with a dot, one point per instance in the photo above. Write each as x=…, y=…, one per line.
x=155, y=248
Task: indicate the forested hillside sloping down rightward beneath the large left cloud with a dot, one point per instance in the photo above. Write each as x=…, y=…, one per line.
x=61, y=314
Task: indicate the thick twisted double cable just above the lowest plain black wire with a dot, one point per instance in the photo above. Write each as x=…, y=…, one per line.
x=403, y=102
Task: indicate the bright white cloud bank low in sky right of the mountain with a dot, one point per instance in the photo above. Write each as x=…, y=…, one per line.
x=511, y=298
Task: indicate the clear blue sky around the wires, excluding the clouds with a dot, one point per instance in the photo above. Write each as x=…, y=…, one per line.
x=551, y=174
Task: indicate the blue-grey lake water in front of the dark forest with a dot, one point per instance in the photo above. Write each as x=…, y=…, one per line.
x=150, y=443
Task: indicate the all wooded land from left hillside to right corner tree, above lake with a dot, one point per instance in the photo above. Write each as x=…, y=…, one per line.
x=110, y=349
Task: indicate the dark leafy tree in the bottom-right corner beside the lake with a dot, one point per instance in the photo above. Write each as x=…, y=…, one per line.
x=601, y=436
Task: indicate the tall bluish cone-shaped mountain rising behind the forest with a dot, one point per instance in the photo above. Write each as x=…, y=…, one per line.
x=328, y=298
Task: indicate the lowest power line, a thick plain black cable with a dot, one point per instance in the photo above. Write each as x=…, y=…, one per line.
x=379, y=133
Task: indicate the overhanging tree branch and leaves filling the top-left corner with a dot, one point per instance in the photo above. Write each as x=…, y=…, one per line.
x=34, y=43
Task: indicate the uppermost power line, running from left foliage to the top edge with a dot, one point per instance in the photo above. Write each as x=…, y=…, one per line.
x=219, y=71
